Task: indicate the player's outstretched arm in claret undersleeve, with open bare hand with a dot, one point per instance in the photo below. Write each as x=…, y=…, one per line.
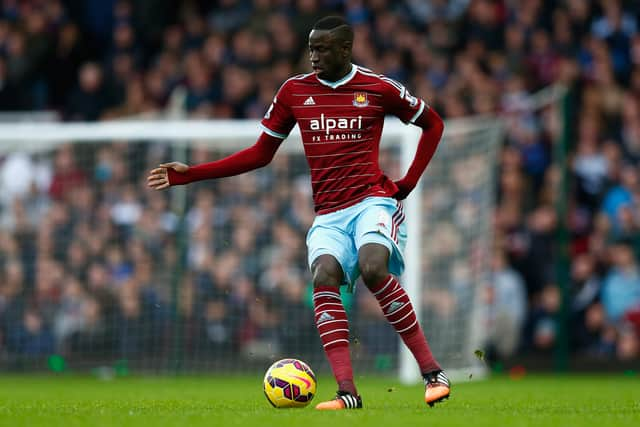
x=175, y=173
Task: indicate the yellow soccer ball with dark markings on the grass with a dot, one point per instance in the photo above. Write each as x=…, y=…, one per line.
x=289, y=383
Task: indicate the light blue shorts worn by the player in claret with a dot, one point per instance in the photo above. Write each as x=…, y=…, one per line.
x=342, y=233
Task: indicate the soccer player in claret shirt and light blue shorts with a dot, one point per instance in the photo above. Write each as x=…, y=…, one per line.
x=359, y=230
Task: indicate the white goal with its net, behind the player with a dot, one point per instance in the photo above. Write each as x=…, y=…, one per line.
x=99, y=272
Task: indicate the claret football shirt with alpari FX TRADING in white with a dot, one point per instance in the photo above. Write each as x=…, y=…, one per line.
x=341, y=123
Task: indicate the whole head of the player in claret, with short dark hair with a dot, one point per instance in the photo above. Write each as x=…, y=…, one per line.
x=330, y=43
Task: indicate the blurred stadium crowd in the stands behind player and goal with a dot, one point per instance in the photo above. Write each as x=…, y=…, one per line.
x=88, y=255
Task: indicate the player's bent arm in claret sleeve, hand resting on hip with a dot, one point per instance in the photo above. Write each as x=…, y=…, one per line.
x=432, y=129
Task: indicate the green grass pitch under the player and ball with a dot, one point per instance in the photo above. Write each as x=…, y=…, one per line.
x=564, y=401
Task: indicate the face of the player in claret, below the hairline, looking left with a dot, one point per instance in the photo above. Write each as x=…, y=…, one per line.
x=329, y=57
